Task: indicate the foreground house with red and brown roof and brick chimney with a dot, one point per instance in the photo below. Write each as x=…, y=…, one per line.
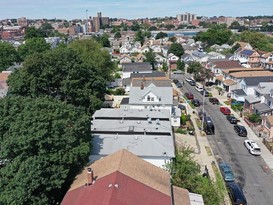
x=123, y=178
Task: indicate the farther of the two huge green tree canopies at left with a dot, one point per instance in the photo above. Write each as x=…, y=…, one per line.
x=64, y=74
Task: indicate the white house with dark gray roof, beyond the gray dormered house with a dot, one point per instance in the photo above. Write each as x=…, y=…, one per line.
x=129, y=68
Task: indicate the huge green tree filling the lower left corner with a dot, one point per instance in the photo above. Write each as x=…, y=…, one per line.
x=46, y=143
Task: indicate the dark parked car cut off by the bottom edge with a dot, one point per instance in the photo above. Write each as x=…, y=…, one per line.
x=236, y=194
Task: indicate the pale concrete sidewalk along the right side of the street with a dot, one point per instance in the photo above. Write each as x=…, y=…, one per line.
x=265, y=153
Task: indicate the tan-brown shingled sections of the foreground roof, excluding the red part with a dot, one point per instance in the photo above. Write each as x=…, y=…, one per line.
x=134, y=167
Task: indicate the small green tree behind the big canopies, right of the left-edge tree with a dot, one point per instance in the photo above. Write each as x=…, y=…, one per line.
x=31, y=46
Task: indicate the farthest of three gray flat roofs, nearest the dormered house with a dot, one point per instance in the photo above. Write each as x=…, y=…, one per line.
x=133, y=113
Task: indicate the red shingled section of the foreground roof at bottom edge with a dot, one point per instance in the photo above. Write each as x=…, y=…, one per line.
x=116, y=189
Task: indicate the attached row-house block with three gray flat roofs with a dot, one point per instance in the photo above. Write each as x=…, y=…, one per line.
x=146, y=133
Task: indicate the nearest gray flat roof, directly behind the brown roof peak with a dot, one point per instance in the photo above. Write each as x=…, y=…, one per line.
x=140, y=145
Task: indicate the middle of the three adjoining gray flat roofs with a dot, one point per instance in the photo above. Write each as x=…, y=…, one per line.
x=132, y=126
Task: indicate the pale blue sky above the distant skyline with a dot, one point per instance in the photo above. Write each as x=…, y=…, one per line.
x=77, y=9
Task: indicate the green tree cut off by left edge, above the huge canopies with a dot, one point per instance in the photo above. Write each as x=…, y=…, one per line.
x=8, y=55
